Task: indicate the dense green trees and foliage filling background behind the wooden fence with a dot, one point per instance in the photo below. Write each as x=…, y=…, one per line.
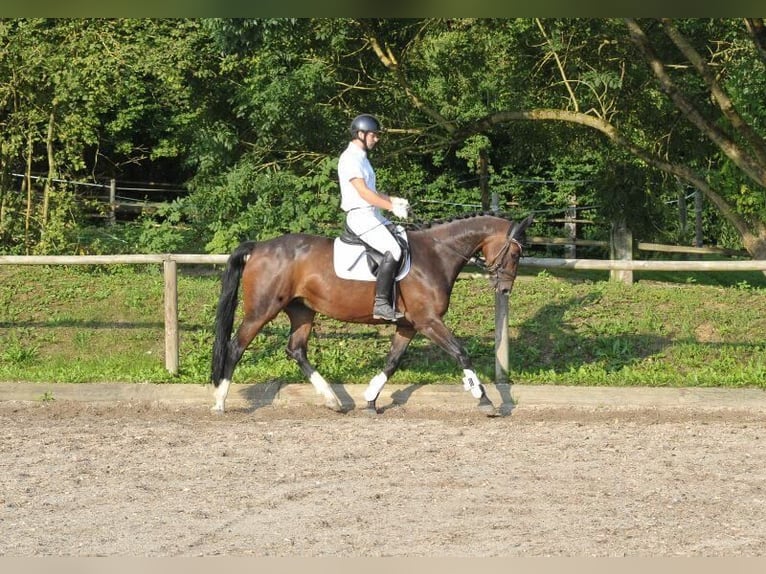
x=252, y=113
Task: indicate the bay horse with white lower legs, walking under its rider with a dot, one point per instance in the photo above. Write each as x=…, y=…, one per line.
x=294, y=273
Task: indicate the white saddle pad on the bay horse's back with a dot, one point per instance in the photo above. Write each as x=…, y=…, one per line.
x=354, y=259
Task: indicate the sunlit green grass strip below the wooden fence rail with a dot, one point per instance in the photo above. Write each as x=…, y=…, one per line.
x=74, y=324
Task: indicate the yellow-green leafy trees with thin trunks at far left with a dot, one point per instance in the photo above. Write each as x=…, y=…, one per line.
x=86, y=99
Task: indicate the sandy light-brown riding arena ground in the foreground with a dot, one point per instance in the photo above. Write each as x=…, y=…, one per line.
x=78, y=479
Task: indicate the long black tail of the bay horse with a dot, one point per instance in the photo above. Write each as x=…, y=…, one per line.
x=227, y=306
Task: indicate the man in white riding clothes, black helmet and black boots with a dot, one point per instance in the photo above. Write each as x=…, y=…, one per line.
x=362, y=203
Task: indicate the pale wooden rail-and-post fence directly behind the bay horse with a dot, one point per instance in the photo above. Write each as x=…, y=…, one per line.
x=170, y=264
